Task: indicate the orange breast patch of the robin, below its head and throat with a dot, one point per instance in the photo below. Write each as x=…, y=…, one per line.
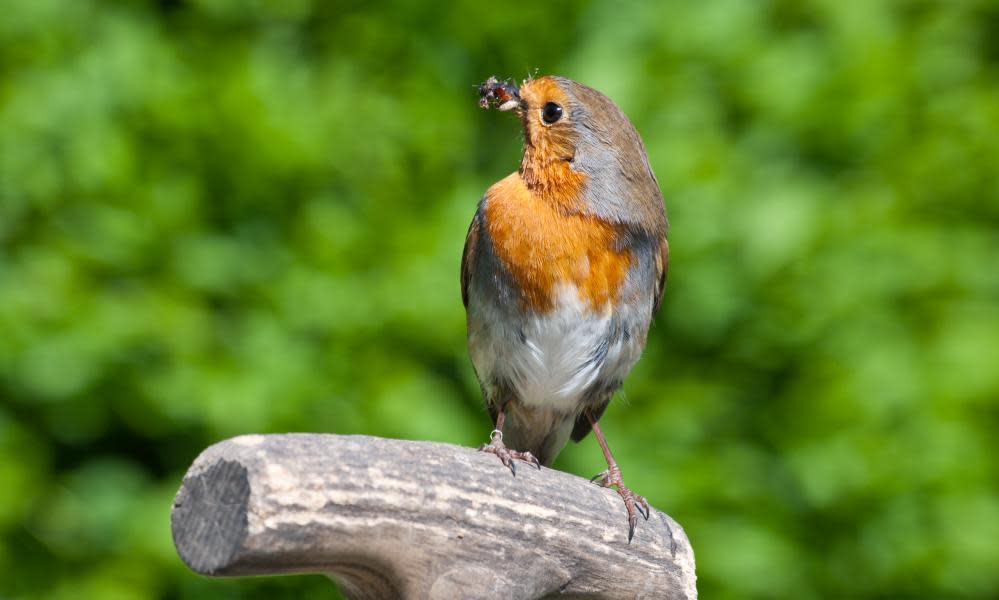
x=544, y=246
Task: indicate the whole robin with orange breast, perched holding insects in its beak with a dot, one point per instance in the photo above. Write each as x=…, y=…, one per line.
x=563, y=269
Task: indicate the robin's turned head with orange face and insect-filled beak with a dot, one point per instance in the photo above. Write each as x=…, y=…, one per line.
x=580, y=150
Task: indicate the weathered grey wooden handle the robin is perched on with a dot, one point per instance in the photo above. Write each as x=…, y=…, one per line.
x=400, y=519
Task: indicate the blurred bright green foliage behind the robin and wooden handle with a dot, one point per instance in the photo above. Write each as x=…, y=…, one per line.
x=220, y=217
